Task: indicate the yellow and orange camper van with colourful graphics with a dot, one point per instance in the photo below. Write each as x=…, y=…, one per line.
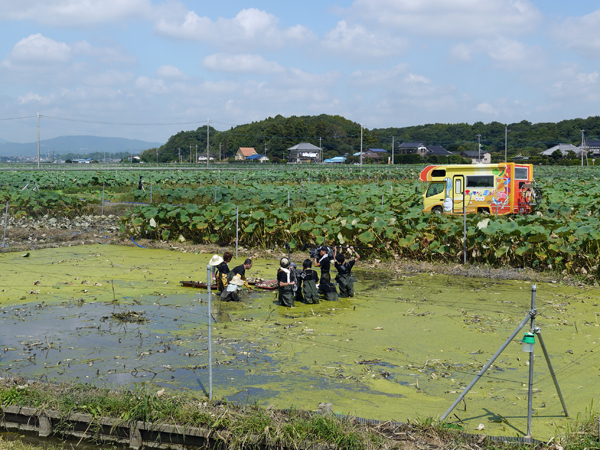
x=503, y=188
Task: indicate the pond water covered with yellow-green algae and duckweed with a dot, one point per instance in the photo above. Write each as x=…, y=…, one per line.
x=403, y=348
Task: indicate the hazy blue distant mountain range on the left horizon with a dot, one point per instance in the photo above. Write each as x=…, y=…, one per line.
x=76, y=144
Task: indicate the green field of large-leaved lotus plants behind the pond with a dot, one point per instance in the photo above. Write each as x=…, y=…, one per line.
x=377, y=207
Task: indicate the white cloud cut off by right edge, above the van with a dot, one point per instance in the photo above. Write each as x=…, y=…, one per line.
x=580, y=33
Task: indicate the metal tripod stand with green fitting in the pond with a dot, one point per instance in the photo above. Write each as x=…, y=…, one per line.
x=534, y=330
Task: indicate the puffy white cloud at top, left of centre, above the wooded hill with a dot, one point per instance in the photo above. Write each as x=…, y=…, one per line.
x=250, y=28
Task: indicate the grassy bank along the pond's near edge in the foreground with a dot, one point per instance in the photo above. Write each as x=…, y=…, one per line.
x=250, y=426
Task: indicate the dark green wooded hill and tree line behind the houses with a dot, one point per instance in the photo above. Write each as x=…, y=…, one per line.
x=339, y=136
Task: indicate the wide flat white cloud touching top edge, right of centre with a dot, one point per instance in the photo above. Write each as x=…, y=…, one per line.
x=456, y=19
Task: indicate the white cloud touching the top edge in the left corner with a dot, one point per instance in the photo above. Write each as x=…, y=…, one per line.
x=75, y=13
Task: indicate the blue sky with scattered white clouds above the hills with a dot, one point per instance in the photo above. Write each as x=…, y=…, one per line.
x=146, y=69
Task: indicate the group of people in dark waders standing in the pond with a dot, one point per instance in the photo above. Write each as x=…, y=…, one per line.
x=294, y=285
